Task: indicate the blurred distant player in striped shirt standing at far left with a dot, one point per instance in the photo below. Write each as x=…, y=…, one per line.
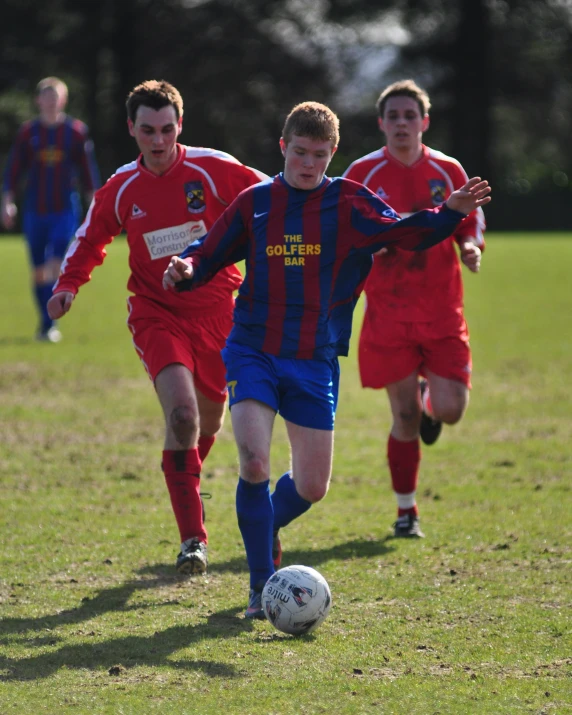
x=50, y=156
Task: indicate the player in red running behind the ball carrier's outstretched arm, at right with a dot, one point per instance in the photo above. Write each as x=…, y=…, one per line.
x=414, y=340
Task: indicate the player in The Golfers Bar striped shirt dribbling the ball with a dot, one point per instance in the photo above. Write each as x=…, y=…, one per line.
x=307, y=241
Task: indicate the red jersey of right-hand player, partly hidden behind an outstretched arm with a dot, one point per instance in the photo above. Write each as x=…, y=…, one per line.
x=419, y=286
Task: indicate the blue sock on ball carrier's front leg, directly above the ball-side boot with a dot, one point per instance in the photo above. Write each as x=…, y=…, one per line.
x=255, y=521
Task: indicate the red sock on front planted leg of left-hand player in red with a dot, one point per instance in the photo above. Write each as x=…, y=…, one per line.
x=182, y=469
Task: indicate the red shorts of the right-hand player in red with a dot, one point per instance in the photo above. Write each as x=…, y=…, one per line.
x=389, y=350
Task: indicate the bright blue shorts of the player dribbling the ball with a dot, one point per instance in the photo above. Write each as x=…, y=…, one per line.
x=304, y=392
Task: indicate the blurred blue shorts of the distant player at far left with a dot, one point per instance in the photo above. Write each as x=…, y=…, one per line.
x=48, y=235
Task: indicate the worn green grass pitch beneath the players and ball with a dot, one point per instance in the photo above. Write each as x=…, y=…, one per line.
x=473, y=619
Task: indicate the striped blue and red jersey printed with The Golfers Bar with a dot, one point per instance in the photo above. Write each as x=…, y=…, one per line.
x=307, y=255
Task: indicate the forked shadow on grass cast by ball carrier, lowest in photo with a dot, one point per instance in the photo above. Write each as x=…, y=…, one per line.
x=135, y=651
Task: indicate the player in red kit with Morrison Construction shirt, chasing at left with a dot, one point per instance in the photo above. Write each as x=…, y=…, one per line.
x=165, y=200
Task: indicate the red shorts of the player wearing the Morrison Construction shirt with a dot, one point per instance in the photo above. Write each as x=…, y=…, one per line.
x=161, y=338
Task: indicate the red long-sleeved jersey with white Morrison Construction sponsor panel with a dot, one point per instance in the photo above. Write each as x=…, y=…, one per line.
x=161, y=215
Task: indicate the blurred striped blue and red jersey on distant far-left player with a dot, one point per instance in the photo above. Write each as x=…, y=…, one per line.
x=50, y=162
